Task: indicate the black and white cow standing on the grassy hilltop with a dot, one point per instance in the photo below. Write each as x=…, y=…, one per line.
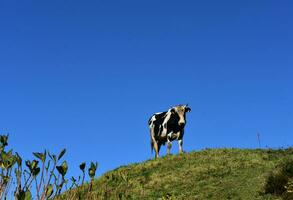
x=168, y=126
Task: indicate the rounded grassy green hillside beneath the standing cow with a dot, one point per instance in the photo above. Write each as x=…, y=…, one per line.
x=207, y=174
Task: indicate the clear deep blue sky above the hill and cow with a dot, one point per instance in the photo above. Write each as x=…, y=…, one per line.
x=87, y=75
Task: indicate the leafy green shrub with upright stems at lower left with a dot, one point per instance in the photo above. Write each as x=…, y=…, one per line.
x=47, y=173
